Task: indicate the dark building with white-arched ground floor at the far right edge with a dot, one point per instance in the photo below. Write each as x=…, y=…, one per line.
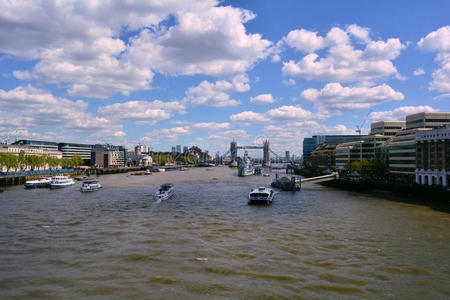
x=433, y=156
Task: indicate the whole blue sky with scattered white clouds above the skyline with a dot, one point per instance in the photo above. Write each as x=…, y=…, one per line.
x=203, y=73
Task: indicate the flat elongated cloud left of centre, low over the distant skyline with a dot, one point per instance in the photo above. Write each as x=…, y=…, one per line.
x=141, y=112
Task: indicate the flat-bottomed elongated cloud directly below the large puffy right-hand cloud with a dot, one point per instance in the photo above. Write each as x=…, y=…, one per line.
x=334, y=98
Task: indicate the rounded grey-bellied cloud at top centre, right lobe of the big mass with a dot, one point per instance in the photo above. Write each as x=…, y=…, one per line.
x=212, y=41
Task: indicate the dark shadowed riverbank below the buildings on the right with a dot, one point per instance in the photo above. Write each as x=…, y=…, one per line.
x=436, y=198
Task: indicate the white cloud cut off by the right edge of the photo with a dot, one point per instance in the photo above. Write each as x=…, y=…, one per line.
x=439, y=41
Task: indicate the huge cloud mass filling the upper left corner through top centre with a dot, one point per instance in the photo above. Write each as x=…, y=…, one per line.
x=76, y=43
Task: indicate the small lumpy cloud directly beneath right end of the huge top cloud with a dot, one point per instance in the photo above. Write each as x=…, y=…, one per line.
x=217, y=94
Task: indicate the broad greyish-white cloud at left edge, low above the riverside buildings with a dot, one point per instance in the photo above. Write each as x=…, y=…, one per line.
x=36, y=108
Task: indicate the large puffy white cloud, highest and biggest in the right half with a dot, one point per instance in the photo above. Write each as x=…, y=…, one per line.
x=343, y=62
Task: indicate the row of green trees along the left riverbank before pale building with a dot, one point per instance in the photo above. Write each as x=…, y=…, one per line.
x=22, y=162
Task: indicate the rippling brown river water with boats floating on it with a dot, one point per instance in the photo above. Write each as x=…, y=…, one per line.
x=207, y=243
